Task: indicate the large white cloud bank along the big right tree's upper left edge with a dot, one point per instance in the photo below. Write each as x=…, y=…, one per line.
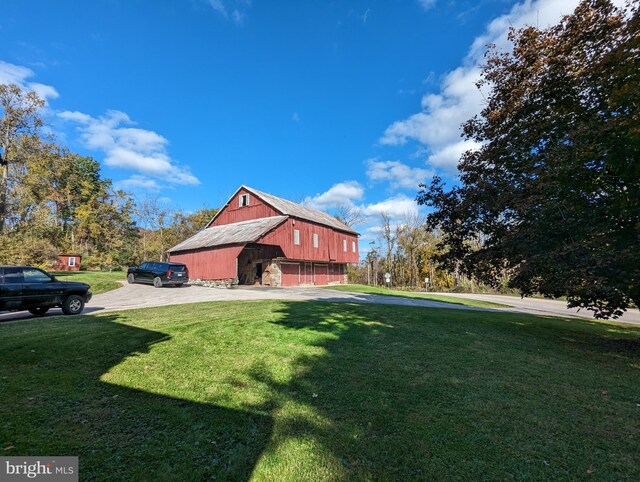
x=437, y=125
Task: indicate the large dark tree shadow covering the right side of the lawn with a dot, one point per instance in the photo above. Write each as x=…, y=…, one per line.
x=422, y=394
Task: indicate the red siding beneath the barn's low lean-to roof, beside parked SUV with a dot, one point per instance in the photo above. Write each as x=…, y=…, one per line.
x=206, y=264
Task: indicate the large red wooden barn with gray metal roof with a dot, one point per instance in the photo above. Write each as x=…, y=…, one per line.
x=257, y=238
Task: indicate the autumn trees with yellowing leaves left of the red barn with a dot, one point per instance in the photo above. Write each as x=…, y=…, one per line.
x=55, y=201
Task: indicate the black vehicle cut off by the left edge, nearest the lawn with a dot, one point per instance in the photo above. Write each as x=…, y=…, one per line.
x=31, y=289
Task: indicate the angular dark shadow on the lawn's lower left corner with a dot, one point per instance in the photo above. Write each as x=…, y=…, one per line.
x=118, y=433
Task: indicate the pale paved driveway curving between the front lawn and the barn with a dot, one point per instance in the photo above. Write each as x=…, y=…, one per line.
x=146, y=296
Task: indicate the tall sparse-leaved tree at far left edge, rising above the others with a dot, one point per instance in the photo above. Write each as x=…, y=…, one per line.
x=20, y=117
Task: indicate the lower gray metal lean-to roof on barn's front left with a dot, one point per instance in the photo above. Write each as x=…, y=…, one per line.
x=236, y=233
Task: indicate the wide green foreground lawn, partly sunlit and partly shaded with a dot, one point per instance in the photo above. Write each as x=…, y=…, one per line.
x=273, y=390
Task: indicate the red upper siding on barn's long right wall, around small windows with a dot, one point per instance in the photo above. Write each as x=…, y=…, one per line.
x=330, y=242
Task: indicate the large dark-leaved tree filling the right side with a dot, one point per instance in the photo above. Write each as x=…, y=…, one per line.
x=553, y=194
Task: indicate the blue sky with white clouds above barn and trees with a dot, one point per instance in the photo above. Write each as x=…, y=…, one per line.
x=328, y=102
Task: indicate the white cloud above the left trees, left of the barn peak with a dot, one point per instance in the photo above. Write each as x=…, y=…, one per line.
x=131, y=148
